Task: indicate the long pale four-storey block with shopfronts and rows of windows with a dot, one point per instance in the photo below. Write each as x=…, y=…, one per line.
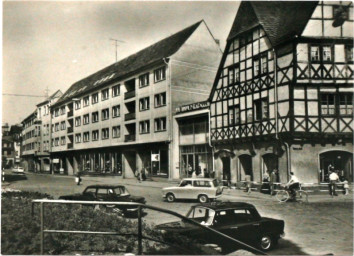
x=119, y=119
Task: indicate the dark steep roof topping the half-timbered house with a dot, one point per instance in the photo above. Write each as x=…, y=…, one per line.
x=281, y=20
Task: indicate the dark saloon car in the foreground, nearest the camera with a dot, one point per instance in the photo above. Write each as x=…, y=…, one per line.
x=235, y=219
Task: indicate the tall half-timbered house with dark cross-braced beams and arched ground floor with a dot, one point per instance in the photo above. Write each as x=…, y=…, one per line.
x=283, y=95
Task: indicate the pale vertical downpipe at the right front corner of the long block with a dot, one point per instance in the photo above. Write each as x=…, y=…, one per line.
x=170, y=130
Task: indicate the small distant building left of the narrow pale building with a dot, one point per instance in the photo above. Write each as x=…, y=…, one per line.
x=30, y=139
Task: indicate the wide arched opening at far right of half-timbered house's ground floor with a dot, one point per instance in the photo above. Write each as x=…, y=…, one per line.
x=342, y=162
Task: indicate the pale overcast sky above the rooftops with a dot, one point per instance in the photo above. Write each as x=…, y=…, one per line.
x=54, y=44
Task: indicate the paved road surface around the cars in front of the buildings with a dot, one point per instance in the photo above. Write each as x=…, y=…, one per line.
x=323, y=226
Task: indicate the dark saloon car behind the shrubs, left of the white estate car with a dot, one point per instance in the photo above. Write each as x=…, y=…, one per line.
x=109, y=193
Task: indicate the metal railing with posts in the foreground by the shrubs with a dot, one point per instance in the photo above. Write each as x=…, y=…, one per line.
x=140, y=216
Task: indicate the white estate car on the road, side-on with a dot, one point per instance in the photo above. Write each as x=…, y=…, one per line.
x=202, y=189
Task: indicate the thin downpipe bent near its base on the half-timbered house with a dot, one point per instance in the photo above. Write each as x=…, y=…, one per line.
x=276, y=114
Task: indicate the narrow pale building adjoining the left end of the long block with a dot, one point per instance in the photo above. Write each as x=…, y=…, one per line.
x=44, y=118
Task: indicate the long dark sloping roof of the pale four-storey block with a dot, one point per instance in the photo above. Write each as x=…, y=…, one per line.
x=162, y=49
